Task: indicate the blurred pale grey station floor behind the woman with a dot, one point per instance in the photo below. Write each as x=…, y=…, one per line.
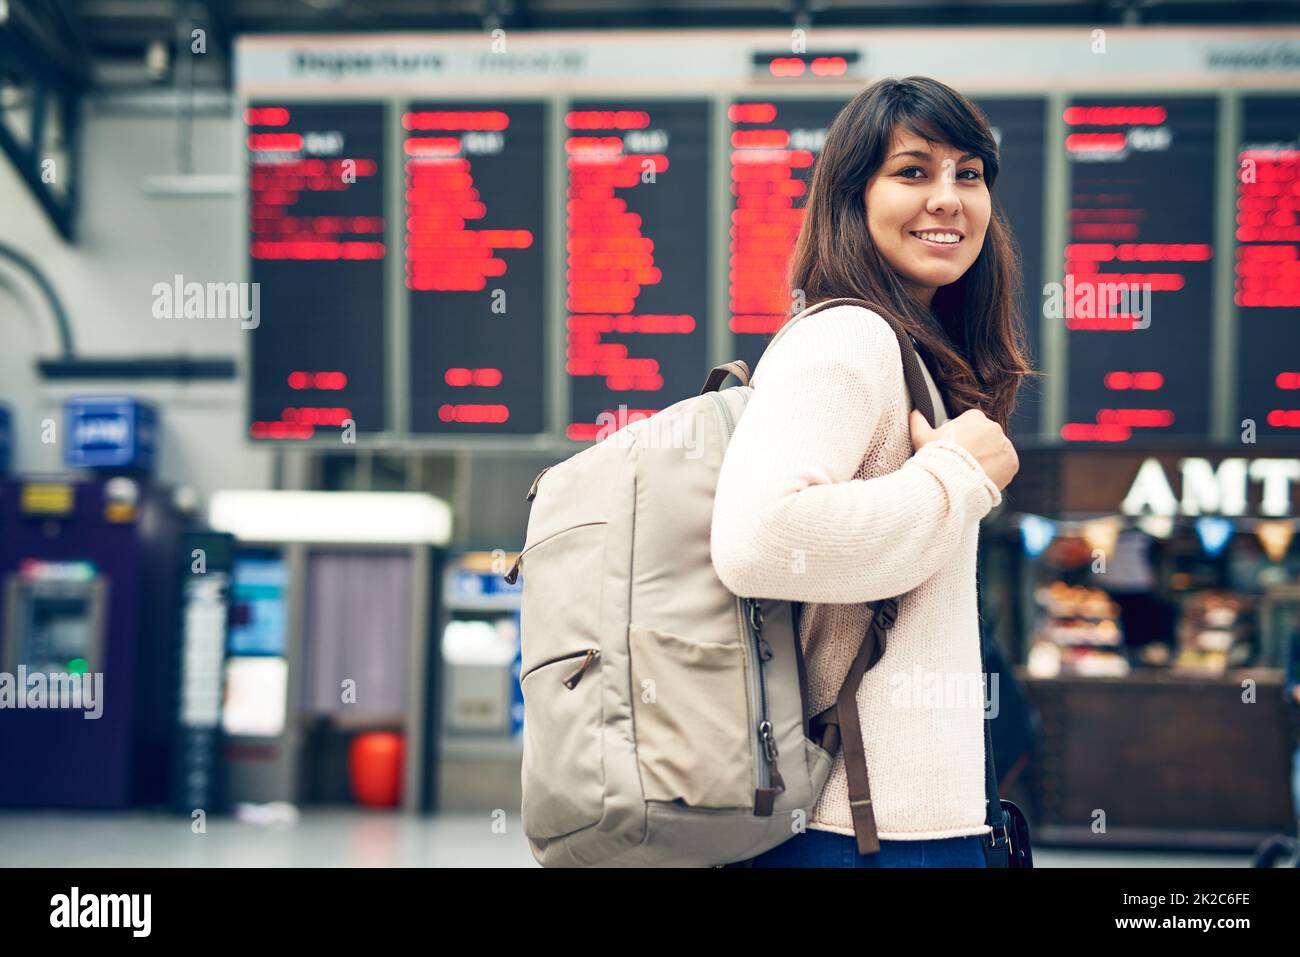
x=352, y=838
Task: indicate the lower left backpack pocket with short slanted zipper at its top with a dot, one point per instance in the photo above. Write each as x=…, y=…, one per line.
x=564, y=772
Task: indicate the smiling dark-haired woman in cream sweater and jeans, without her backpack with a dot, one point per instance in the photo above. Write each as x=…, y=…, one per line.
x=834, y=493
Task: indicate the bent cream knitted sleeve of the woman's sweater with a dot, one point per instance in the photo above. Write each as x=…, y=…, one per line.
x=791, y=522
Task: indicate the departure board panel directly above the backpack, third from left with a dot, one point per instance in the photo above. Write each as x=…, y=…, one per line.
x=638, y=254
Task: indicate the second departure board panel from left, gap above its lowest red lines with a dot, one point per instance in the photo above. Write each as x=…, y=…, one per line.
x=475, y=267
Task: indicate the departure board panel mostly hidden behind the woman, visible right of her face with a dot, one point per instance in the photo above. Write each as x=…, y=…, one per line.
x=1020, y=129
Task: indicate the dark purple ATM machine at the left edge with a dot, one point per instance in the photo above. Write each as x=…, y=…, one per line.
x=88, y=588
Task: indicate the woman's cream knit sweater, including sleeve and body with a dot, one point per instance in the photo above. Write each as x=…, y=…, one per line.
x=822, y=500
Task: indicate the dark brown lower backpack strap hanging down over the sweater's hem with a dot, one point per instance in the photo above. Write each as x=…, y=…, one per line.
x=842, y=726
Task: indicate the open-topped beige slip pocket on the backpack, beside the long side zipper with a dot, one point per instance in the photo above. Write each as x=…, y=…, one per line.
x=692, y=714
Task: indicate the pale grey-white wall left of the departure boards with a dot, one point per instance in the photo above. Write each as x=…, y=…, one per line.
x=125, y=244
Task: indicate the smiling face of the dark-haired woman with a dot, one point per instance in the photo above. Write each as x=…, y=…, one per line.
x=928, y=211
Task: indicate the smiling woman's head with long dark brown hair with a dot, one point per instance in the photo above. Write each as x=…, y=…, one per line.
x=903, y=213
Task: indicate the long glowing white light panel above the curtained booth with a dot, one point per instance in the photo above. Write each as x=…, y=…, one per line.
x=379, y=518
